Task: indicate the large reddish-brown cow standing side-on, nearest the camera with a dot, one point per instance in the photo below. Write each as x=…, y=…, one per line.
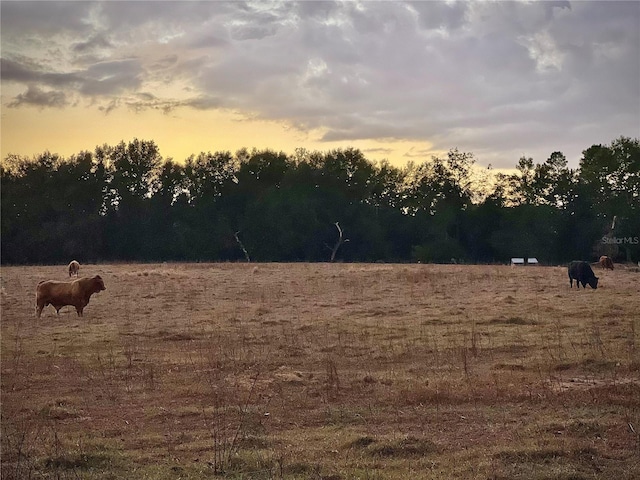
x=59, y=294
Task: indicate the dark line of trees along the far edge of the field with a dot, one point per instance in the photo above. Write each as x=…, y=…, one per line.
x=128, y=203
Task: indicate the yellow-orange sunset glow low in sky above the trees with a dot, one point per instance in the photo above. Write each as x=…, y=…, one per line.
x=30, y=131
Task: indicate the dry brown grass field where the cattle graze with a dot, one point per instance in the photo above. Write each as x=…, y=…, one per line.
x=323, y=371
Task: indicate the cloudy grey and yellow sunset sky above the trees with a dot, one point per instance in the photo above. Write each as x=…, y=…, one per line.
x=401, y=81
